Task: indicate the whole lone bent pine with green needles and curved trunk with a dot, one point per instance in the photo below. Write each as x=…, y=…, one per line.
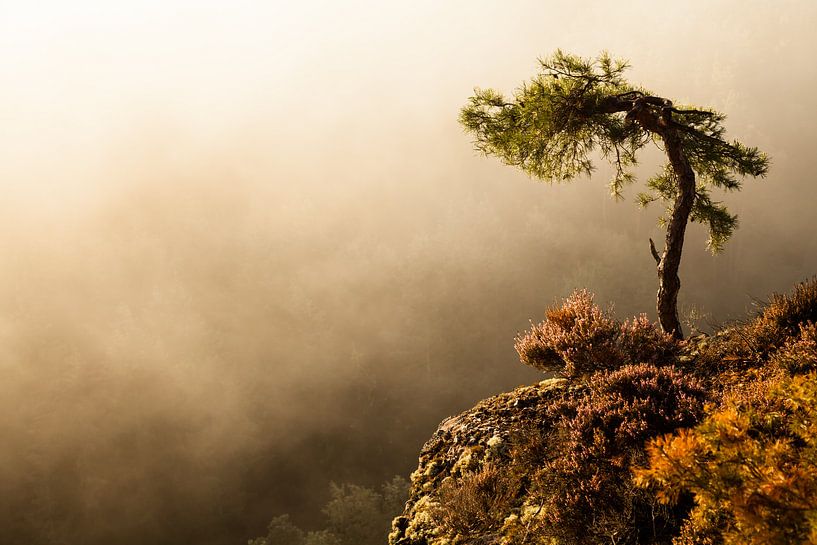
x=576, y=106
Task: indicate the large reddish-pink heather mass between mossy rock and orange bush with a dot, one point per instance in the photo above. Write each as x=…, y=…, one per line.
x=585, y=486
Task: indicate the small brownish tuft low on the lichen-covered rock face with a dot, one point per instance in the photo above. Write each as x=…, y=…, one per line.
x=478, y=502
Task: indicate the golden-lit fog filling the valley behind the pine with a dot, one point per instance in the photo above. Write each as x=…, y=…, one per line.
x=247, y=250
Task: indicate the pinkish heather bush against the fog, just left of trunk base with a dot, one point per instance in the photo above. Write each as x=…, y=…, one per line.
x=580, y=338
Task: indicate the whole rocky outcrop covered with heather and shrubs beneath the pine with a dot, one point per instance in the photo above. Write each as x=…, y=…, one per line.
x=642, y=439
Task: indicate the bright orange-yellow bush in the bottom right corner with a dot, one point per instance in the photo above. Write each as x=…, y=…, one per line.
x=751, y=466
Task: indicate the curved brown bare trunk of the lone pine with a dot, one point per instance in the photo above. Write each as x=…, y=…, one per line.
x=668, y=281
